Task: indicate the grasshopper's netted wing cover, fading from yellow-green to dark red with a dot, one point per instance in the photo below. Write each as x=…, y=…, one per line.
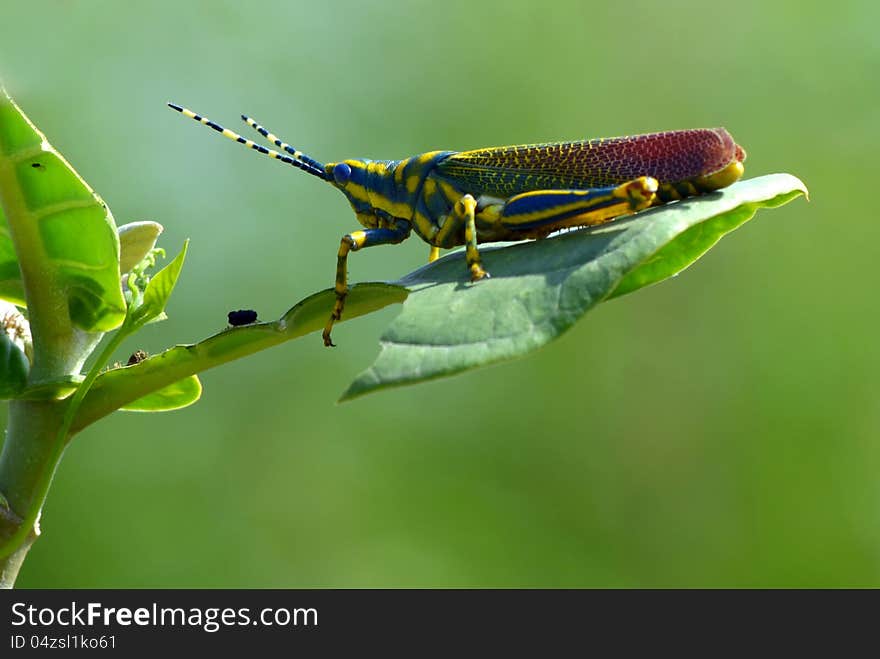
x=669, y=157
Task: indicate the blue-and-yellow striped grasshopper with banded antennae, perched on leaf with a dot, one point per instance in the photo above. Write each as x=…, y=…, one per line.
x=518, y=192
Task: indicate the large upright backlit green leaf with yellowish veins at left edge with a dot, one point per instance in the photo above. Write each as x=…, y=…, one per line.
x=59, y=242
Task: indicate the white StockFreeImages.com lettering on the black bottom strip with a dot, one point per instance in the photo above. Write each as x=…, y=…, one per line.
x=209, y=619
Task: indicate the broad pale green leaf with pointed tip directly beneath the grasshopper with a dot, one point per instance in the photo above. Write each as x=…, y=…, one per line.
x=539, y=289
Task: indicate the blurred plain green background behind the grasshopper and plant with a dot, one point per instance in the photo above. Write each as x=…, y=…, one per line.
x=720, y=429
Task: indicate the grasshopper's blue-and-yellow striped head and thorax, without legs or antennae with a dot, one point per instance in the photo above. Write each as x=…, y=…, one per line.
x=381, y=191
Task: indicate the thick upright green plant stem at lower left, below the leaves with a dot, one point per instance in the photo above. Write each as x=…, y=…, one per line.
x=30, y=456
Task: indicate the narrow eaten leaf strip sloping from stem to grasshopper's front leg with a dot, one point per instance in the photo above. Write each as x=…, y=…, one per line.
x=122, y=386
